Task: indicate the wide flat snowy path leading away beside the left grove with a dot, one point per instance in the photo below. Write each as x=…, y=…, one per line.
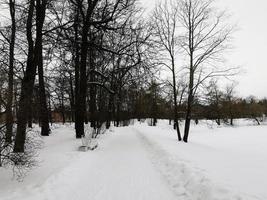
x=118, y=169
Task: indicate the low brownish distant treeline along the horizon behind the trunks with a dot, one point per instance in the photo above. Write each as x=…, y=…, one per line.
x=146, y=104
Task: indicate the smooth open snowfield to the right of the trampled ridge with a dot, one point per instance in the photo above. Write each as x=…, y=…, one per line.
x=232, y=157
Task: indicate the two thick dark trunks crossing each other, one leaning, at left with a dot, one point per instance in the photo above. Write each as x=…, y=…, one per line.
x=34, y=60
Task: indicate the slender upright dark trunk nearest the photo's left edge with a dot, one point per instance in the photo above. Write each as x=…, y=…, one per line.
x=9, y=114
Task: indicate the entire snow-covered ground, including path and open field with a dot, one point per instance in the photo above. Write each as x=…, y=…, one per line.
x=147, y=163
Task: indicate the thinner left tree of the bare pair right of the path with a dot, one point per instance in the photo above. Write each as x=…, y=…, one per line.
x=165, y=33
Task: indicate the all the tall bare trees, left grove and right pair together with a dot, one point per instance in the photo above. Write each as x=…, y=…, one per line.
x=98, y=61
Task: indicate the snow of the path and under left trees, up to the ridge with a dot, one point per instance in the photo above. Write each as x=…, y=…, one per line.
x=117, y=169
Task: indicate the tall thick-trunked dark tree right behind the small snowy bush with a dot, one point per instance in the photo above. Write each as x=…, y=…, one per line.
x=95, y=15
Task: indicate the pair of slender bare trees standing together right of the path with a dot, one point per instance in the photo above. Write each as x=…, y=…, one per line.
x=195, y=31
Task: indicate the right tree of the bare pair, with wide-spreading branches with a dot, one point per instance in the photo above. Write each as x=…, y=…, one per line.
x=204, y=37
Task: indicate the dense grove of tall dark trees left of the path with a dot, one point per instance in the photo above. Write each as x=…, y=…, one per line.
x=87, y=55
